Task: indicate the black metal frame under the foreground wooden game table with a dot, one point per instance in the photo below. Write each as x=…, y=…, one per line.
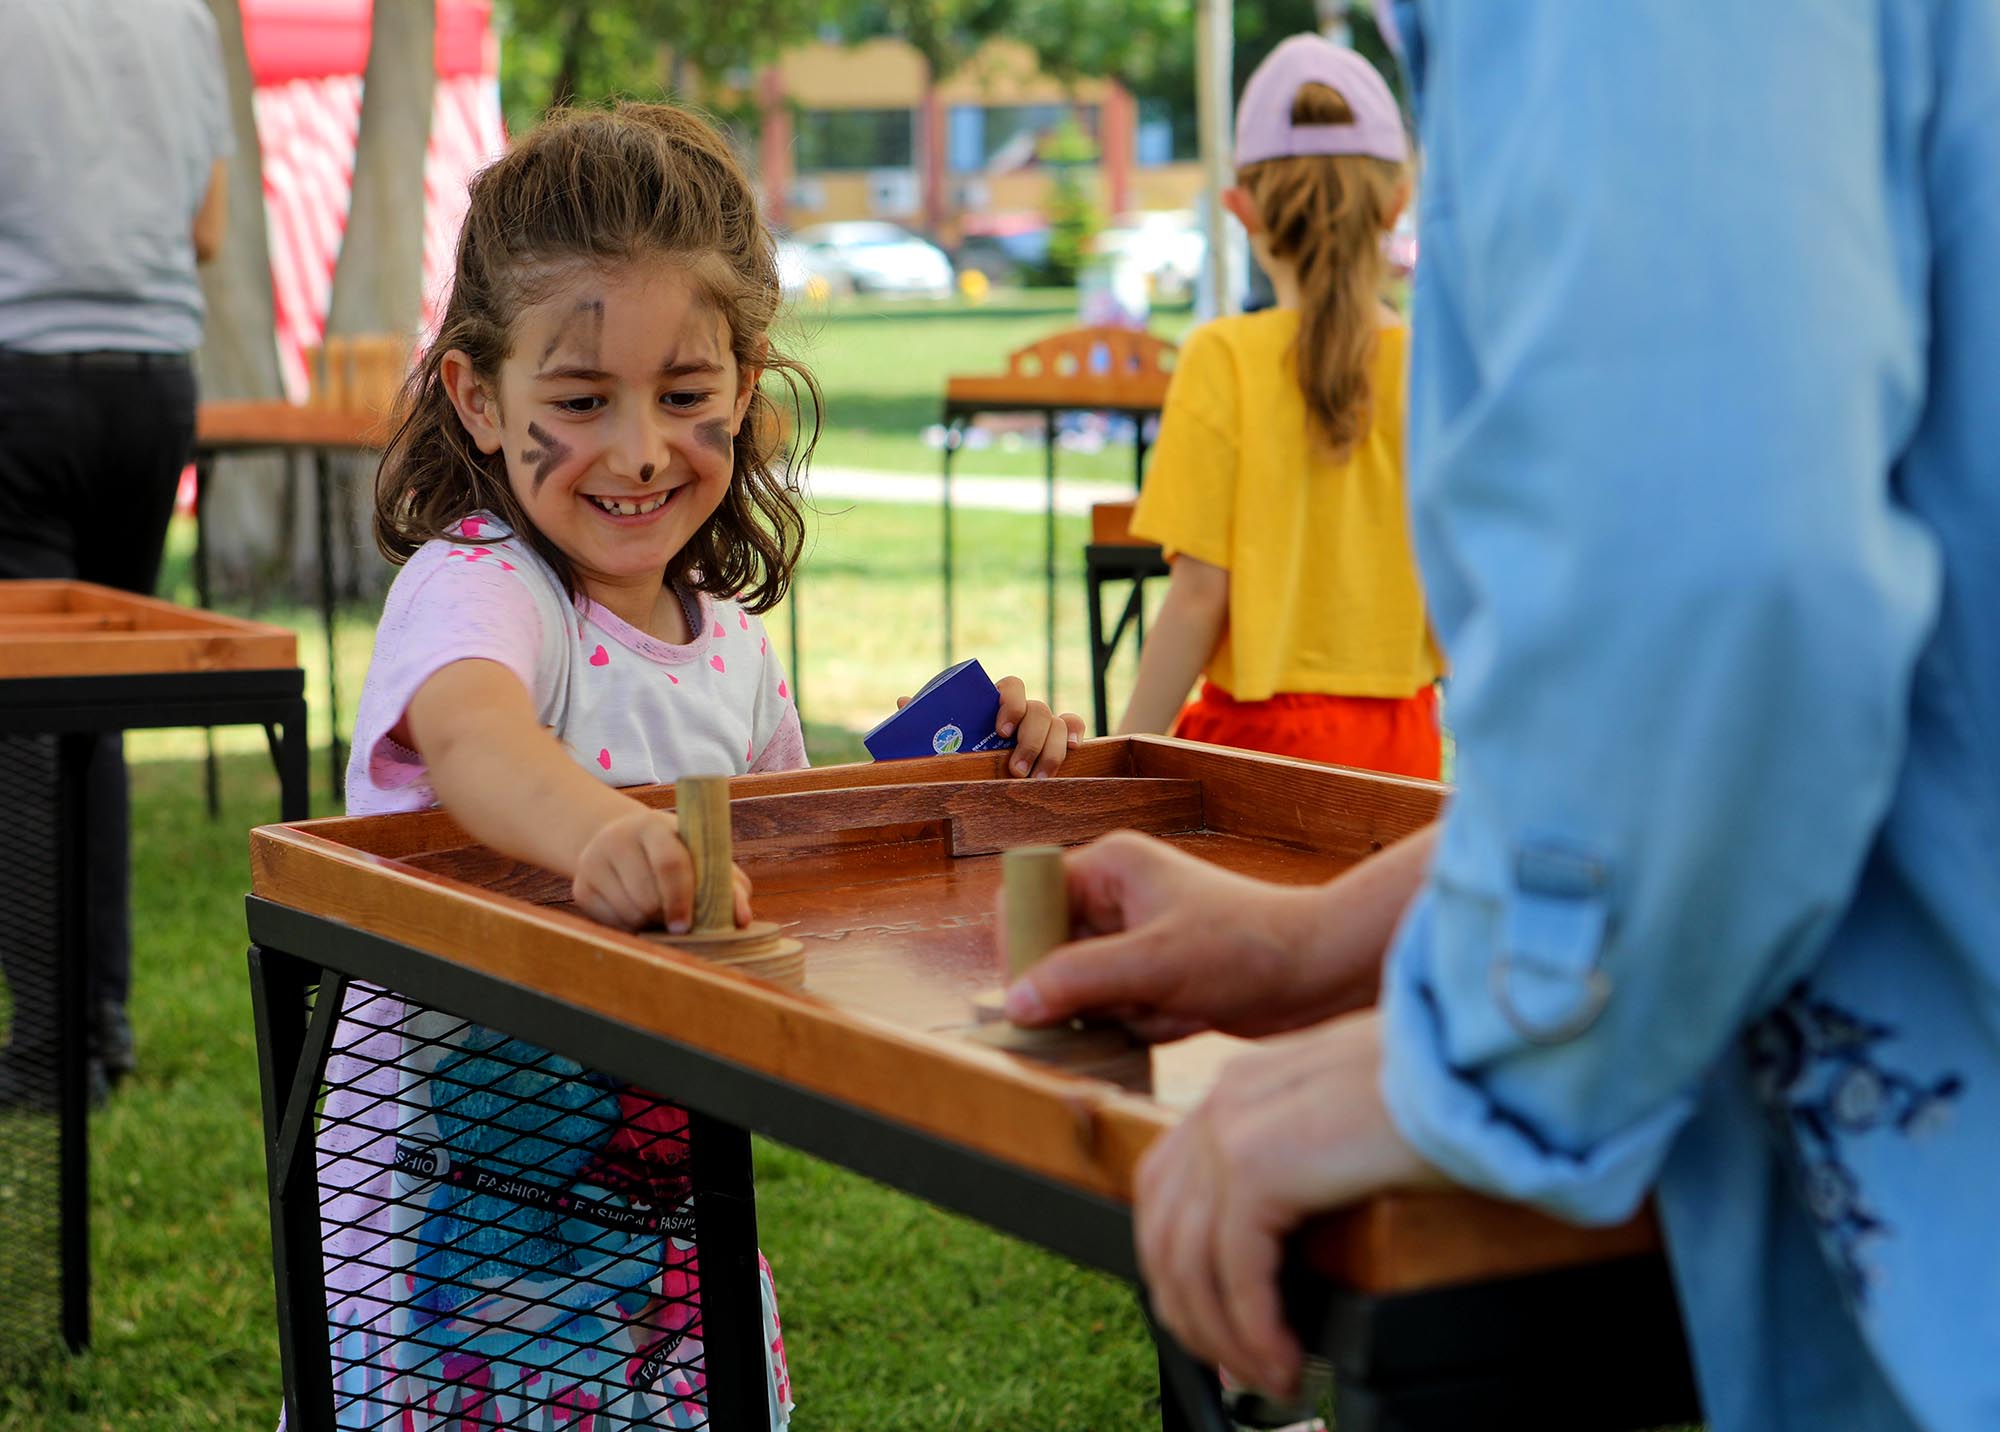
x=1429, y=1359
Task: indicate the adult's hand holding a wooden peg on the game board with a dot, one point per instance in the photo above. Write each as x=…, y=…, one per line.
x=1177, y=945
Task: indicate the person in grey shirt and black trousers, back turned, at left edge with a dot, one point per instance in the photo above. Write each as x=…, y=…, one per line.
x=113, y=141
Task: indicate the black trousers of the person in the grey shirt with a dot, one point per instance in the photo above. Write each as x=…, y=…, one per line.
x=91, y=455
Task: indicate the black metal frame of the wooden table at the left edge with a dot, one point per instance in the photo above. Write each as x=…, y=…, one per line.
x=73, y=709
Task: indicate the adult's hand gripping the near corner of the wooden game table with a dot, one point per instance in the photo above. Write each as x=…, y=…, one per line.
x=1293, y=1129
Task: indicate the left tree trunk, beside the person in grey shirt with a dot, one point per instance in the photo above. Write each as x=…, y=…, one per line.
x=239, y=347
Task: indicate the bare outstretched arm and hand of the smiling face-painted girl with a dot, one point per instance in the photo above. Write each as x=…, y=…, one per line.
x=513, y=787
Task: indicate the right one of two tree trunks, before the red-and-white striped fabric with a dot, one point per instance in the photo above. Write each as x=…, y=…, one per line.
x=379, y=283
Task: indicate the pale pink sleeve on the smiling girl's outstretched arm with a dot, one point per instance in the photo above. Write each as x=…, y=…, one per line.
x=447, y=605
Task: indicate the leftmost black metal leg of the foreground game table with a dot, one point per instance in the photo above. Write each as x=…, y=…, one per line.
x=291, y=1065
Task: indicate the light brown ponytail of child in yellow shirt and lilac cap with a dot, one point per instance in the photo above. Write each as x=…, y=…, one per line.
x=1325, y=215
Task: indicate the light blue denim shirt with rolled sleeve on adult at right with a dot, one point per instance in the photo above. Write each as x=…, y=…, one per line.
x=1705, y=461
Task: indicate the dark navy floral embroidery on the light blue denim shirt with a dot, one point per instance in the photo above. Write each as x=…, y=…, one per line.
x=1823, y=1083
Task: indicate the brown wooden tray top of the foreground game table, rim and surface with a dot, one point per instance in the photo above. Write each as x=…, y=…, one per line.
x=889, y=875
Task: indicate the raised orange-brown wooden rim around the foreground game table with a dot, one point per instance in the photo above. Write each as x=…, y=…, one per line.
x=1075, y=1131
